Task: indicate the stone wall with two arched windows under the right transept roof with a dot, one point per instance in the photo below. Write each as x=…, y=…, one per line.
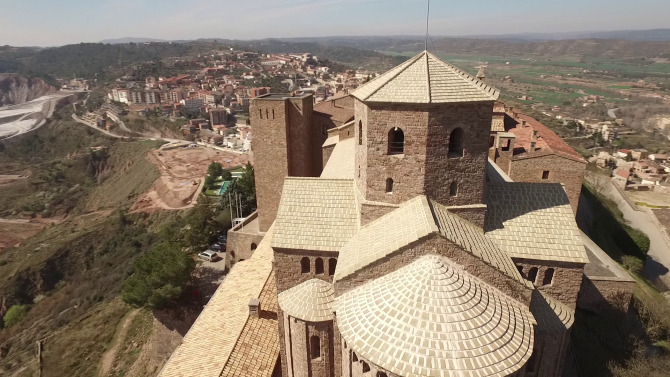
x=566, y=282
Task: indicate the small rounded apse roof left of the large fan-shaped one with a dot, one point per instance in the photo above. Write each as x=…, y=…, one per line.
x=309, y=301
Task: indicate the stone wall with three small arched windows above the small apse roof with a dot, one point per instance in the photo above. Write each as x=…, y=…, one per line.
x=288, y=272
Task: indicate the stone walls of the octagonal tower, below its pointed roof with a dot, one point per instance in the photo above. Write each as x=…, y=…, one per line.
x=425, y=166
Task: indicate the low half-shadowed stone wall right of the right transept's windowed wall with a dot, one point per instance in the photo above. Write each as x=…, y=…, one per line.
x=604, y=294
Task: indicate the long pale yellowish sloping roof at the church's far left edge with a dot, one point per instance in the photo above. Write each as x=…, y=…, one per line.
x=220, y=324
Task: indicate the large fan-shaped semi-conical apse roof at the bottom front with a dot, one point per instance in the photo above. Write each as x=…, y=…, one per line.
x=430, y=318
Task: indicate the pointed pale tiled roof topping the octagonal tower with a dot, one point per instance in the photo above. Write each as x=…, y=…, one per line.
x=425, y=78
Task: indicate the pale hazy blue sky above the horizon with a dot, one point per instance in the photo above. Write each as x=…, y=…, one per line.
x=53, y=22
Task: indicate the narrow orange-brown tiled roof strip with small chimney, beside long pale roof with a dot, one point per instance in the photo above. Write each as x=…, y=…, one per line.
x=257, y=349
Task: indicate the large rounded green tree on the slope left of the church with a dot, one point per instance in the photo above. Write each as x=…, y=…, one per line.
x=159, y=277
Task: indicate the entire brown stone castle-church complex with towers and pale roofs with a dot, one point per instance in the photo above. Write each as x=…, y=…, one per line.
x=398, y=244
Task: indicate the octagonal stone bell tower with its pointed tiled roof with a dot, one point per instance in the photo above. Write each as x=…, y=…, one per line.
x=423, y=128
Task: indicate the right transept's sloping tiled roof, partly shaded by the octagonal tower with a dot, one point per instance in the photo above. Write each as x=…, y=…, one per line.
x=534, y=221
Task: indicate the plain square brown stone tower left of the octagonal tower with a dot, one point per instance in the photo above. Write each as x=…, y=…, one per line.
x=284, y=123
